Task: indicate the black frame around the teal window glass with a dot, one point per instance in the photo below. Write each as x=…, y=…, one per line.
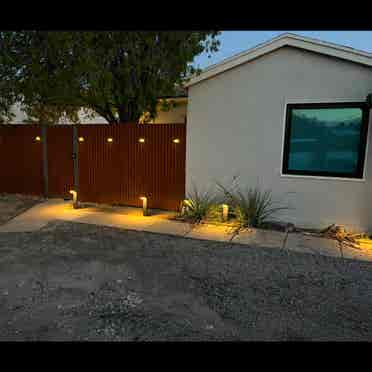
x=358, y=174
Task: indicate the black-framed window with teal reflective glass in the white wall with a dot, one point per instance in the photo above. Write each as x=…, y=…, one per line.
x=325, y=139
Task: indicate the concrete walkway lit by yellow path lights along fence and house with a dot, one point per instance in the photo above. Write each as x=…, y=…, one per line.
x=132, y=218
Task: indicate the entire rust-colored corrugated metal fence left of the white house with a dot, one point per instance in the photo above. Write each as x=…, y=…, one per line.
x=115, y=164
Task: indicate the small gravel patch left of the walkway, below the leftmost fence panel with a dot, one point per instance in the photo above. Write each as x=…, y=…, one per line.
x=12, y=205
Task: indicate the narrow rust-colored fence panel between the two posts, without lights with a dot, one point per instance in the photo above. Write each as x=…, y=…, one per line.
x=60, y=160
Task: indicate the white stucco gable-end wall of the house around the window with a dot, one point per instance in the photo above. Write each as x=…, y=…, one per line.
x=235, y=126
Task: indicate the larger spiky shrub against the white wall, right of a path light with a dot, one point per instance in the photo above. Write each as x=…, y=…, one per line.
x=252, y=207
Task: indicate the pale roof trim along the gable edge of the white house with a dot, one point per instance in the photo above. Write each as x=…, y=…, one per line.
x=287, y=39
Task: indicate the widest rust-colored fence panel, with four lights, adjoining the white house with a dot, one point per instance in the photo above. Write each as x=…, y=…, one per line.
x=121, y=171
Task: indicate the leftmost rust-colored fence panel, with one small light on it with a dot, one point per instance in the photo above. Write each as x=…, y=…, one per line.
x=21, y=159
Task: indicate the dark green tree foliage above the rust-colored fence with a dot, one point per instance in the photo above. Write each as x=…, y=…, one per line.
x=118, y=75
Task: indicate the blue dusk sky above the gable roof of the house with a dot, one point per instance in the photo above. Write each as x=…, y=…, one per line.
x=233, y=42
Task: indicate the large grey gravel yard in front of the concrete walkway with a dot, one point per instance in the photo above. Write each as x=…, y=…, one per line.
x=73, y=281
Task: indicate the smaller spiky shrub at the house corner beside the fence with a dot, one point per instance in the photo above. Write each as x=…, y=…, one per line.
x=199, y=205
